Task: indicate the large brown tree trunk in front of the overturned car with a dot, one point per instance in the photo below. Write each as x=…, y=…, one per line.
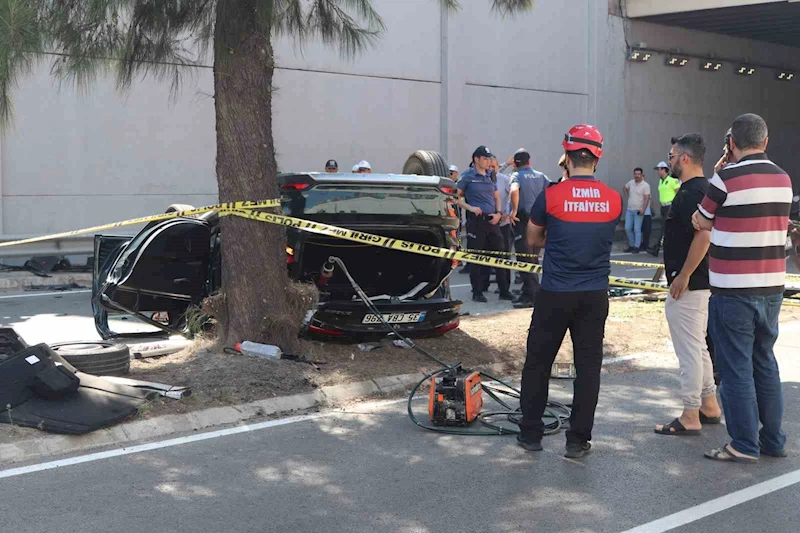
x=257, y=302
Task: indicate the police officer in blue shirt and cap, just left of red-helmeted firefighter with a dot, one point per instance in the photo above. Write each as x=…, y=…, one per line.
x=526, y=186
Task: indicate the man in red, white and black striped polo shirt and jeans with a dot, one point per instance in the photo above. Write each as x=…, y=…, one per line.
x=747, y=210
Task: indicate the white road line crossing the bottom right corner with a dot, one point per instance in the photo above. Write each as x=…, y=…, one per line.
x=698, y=512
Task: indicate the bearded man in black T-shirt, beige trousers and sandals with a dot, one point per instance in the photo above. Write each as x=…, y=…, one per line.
x=686, y=262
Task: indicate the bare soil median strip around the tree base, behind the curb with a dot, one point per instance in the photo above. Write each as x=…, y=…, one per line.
x=219, y=379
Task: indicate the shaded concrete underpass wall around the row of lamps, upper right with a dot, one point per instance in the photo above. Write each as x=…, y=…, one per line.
x=660, y=101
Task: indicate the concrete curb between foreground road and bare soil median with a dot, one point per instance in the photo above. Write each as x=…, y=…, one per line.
x=49, y=444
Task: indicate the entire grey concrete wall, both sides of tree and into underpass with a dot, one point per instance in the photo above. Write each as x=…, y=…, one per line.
x=445, y=83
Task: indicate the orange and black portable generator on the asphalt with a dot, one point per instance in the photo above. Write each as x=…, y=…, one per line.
x=455, y=398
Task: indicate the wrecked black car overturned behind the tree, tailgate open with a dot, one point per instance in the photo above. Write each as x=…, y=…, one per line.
x=171, y=265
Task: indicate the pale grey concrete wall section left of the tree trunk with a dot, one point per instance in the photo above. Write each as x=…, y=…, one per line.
x=73, y=160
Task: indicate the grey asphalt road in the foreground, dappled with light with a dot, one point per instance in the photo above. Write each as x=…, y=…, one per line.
x=369, y=469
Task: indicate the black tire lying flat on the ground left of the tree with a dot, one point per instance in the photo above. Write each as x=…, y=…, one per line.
x=96, y=357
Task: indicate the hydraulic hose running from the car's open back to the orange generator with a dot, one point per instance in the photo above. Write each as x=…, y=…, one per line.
x=555, y=413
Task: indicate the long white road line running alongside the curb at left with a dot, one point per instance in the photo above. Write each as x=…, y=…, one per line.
x=13, y=472
